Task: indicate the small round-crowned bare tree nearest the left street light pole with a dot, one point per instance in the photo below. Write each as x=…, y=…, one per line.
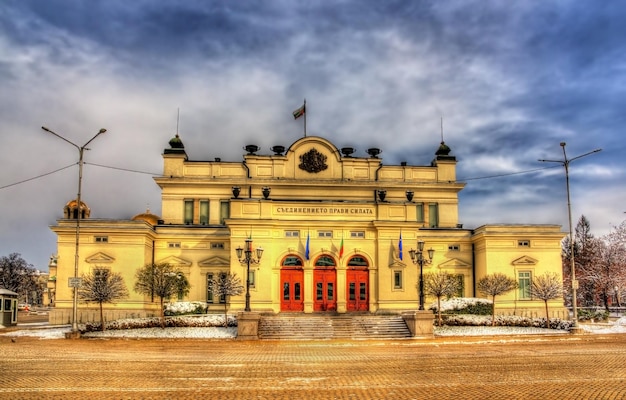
x=102, y=286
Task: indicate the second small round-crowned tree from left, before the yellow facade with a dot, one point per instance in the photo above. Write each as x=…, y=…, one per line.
x=161, y=280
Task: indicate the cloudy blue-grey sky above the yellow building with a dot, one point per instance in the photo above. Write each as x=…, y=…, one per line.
x=511, y=80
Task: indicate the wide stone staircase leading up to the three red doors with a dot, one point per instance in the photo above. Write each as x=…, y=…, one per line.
x=332, y=326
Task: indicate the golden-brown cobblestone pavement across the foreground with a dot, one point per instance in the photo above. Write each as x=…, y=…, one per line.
x=542, y=367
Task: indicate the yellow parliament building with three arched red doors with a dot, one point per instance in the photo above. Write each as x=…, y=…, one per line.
x=336, y=231
